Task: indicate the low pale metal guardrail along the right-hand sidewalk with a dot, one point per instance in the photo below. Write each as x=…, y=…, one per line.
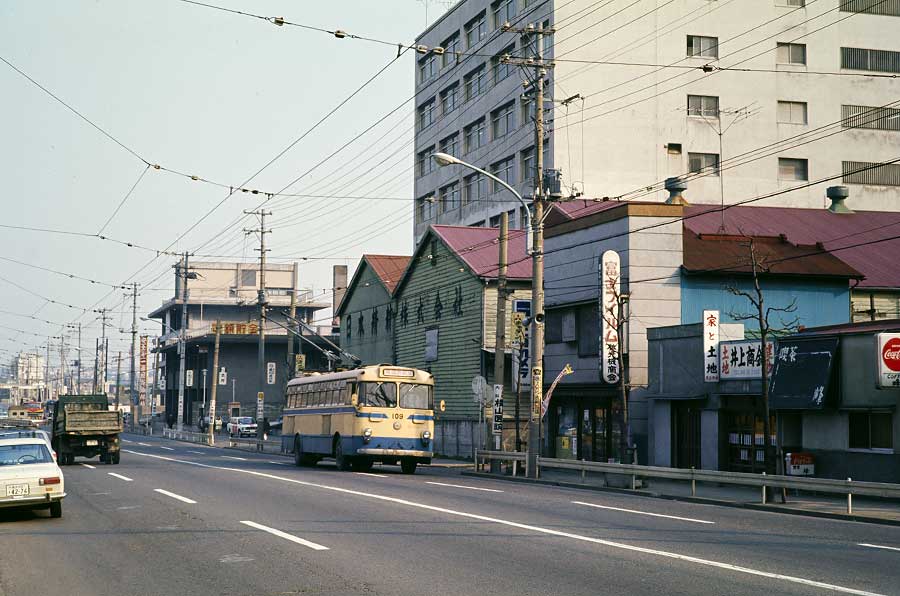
x=846, y=487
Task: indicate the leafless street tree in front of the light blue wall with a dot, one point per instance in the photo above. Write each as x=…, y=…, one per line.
x=762, y=315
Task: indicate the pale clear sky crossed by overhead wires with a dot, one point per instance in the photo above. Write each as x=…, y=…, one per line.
x=206, y=93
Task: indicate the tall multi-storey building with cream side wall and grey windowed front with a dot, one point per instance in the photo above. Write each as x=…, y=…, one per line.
x=801, y=90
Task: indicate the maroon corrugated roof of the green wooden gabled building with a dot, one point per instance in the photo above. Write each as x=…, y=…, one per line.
x=478, y=248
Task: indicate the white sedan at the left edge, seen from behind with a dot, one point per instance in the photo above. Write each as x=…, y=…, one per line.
x=29, y=478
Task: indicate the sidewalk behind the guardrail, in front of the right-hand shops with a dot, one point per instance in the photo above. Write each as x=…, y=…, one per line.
x=820, y=505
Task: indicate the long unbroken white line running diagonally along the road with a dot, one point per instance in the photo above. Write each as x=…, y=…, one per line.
x=537, y=529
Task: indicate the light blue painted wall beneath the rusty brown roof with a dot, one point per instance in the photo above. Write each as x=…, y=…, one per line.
x=819, y=302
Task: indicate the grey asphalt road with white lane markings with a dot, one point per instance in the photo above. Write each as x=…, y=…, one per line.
x=185, y=519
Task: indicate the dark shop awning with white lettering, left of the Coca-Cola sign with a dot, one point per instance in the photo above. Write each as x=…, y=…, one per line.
x=800, y=378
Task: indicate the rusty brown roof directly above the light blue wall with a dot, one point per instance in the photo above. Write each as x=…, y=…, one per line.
x=730, y=254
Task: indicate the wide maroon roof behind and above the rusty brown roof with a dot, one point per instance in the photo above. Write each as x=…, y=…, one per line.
x=857, y=238
